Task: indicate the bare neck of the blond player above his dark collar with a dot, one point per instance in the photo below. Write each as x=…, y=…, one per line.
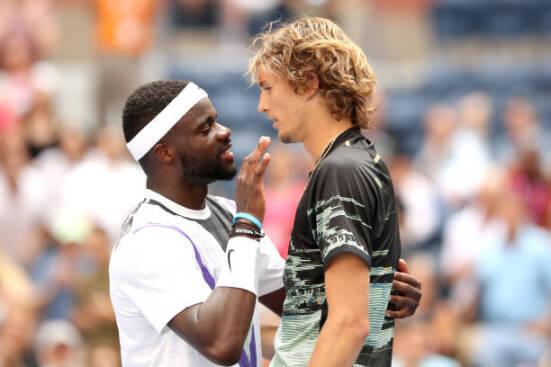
x=322, y=134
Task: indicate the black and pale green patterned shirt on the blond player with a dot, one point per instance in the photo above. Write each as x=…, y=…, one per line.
x=347, y=207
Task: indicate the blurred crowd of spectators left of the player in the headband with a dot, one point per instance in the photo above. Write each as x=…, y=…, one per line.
x=64, y=190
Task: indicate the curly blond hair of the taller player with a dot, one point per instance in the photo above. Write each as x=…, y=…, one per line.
x=312, y=46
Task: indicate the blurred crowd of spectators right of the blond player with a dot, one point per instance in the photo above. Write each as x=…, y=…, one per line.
x=476, y=228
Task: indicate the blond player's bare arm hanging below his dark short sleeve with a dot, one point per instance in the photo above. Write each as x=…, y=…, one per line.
x=347, y=325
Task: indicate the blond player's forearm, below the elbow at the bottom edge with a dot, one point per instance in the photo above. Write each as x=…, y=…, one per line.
x=339, y=344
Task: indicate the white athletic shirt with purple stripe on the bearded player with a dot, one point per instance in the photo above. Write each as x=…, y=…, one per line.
x=157, y=269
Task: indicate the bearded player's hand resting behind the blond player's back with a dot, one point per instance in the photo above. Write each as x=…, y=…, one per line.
x=408, y=293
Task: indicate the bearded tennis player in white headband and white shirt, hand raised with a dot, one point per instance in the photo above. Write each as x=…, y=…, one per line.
x=189, y=268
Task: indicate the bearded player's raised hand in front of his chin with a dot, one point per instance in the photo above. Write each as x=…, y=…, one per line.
x=249, y=192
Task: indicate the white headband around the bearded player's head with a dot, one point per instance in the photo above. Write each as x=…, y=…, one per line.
x=165, y=120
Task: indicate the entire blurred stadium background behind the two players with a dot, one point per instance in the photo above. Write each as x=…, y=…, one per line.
x=463, y=122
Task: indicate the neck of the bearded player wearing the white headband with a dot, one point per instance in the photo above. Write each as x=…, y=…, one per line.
x=189, y=195
